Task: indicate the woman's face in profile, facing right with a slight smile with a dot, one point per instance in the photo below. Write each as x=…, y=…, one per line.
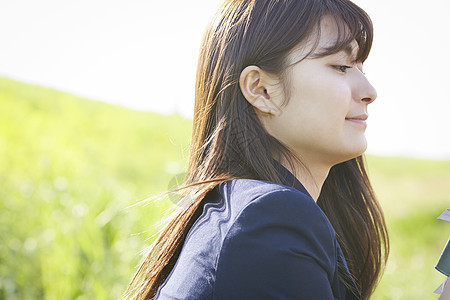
x=325, y=118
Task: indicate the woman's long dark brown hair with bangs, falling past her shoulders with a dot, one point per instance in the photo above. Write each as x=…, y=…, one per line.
x=228, y=141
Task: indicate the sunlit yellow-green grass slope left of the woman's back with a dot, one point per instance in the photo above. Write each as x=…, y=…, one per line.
x=69, y=167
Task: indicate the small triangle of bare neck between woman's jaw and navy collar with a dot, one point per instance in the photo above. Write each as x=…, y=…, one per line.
x=311, y=176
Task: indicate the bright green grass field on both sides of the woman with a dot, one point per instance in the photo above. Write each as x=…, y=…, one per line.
x=71, y=167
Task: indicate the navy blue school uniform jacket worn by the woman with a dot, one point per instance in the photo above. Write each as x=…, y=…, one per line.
x=259, y=240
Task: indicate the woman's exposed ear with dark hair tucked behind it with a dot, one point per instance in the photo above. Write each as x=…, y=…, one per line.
x=257, y=86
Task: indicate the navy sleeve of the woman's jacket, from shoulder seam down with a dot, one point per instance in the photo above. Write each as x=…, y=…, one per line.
x=280, y=247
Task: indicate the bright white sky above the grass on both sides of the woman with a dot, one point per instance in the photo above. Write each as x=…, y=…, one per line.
x=143, y=54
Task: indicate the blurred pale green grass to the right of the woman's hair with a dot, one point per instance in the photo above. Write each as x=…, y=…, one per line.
x=413, y=193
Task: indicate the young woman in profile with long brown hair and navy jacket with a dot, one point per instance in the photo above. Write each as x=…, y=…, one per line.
x=278, y=202
